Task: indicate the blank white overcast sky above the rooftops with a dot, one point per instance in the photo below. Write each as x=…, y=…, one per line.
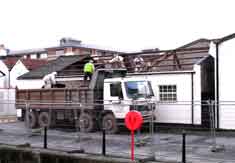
x=119, y=24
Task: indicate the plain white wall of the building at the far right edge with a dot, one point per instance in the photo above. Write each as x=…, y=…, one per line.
x=227, y=84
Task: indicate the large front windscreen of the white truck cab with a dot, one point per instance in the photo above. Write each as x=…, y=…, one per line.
x=138, y=89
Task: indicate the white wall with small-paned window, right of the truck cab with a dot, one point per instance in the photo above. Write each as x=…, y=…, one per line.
x=178, y=112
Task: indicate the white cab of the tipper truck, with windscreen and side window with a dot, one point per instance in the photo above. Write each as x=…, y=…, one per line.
x=124, y=94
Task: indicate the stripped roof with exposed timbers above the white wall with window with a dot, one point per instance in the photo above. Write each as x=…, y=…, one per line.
x=179, y=59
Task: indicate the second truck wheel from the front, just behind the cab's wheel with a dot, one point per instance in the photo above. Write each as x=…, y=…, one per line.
x=86, y=122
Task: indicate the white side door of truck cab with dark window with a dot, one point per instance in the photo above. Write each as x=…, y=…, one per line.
x=113, y=99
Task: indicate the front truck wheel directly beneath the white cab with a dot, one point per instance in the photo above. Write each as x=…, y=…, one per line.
x=109, y=124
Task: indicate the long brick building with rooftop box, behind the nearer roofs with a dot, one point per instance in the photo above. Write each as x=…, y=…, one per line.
x=67, y=46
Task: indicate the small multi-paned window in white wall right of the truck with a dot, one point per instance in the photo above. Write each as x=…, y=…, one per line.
x=167, y=93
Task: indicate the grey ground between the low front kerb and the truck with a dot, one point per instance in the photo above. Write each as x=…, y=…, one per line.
x=163, y=147
